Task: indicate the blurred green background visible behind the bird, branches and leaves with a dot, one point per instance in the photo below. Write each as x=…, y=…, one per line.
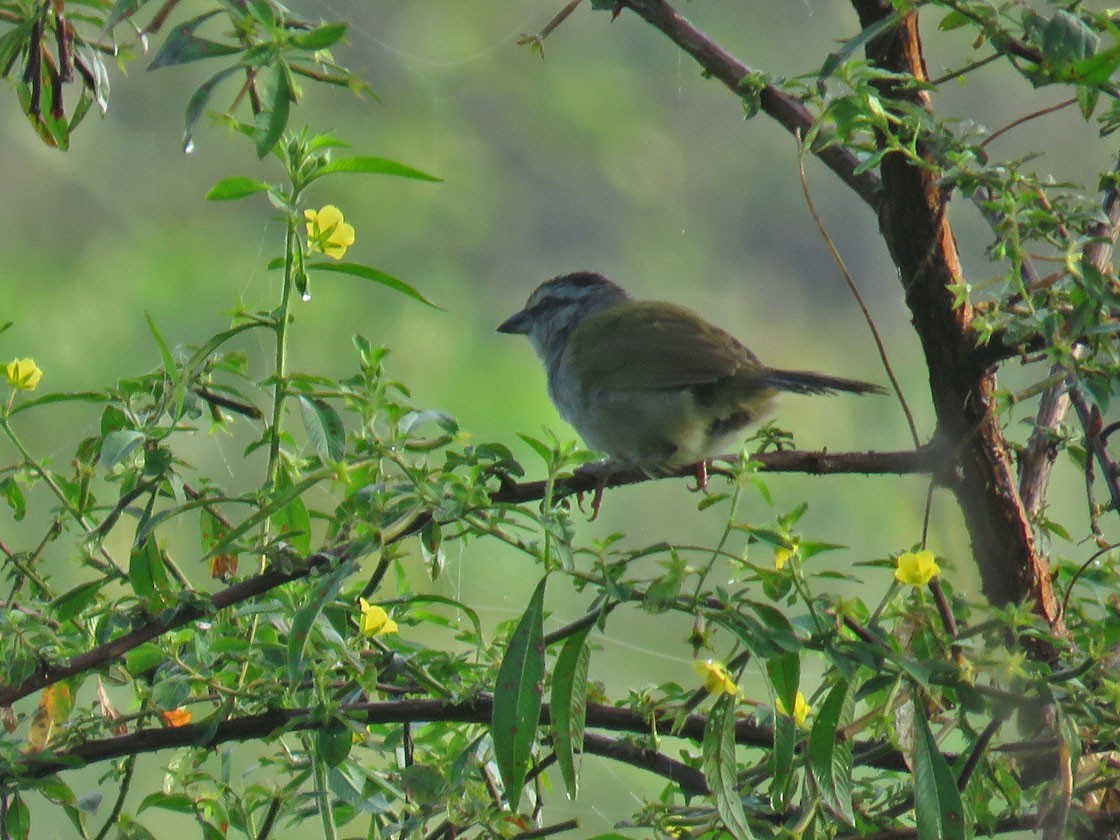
x=613, y=154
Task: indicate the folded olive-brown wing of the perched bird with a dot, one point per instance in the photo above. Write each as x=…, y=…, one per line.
x=649, y=347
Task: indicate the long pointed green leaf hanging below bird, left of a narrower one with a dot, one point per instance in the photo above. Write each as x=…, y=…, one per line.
x=518, y=697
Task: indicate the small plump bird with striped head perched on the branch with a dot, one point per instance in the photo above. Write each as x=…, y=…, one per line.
x=652, y=385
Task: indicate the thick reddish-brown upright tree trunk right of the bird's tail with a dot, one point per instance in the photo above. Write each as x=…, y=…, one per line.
x=914, y=225
